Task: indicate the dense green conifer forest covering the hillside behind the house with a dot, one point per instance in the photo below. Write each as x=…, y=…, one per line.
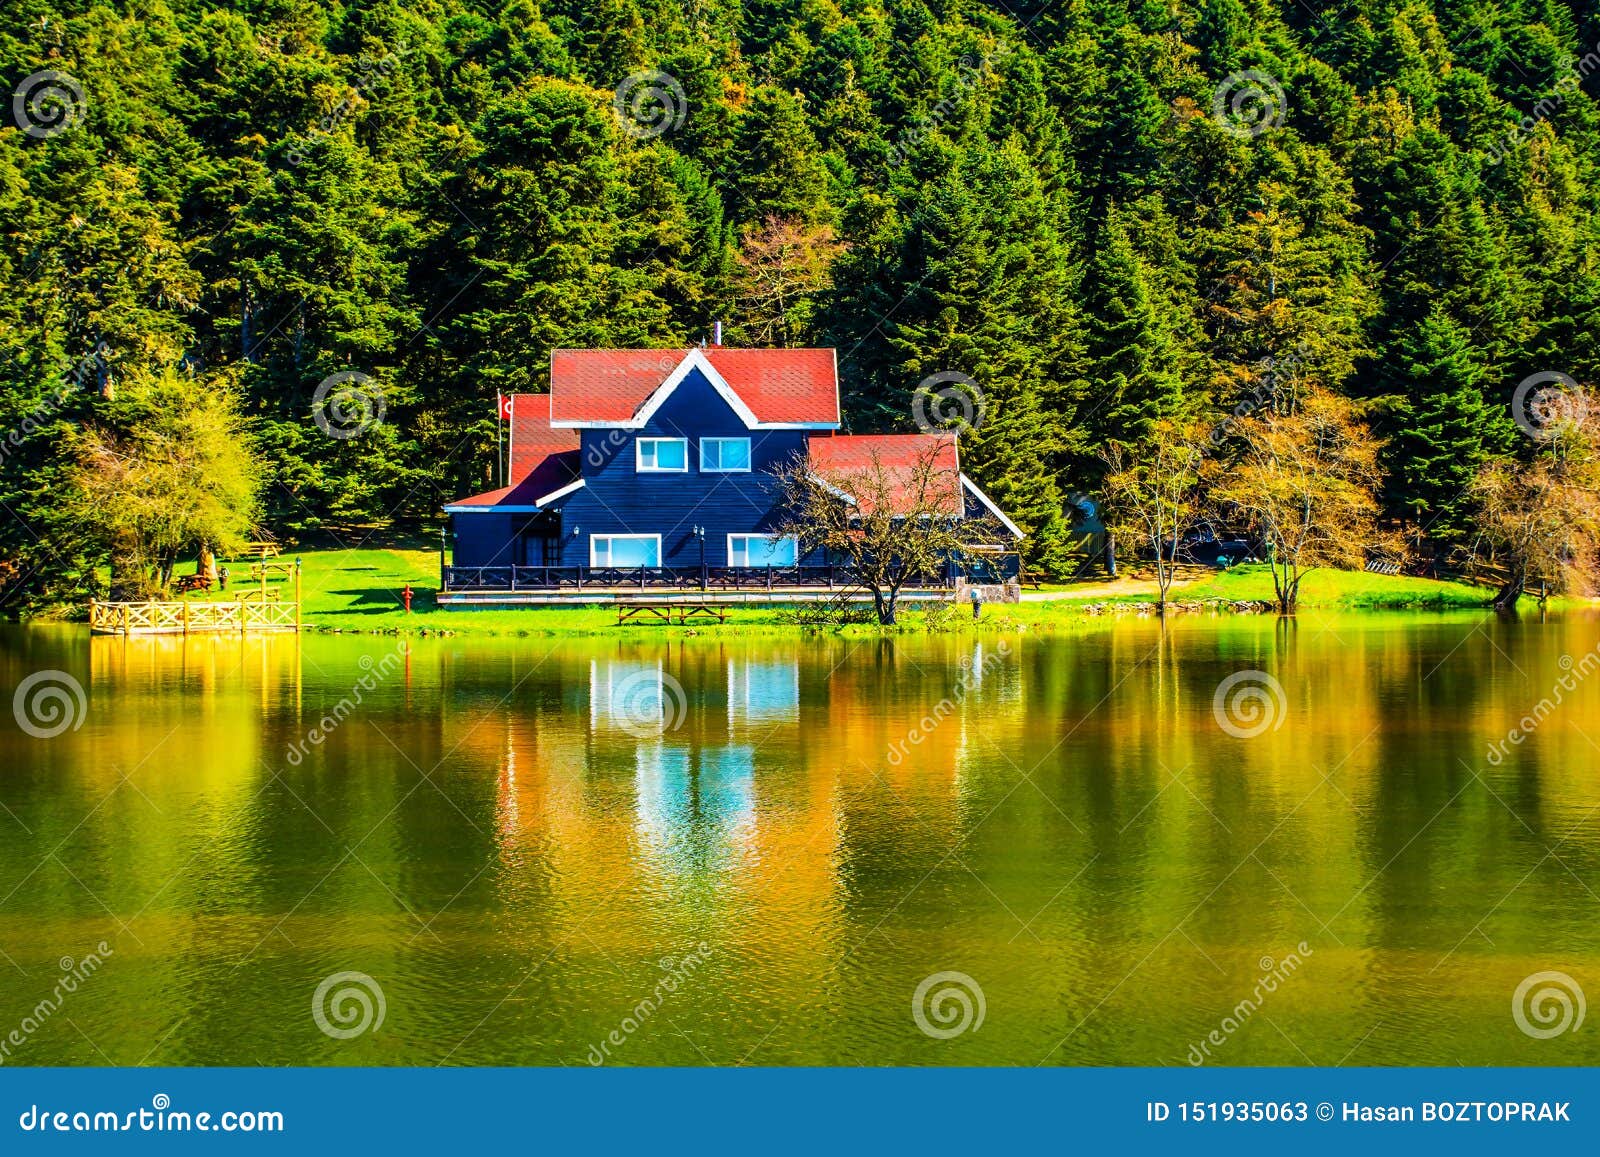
x=1102, y=217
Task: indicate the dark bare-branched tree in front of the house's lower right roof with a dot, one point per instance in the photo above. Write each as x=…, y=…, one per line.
x=892, y=524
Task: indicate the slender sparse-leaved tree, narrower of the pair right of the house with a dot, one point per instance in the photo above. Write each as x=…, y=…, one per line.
x=1153, y=494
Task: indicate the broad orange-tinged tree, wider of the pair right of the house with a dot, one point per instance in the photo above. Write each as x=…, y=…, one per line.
x=1306, y=482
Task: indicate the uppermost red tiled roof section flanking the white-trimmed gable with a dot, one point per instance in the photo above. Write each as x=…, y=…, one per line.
x=780, y=386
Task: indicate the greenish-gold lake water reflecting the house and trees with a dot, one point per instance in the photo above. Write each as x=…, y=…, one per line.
x=1028, y=851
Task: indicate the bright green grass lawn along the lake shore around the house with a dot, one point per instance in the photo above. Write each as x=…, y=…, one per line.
x=361, y=590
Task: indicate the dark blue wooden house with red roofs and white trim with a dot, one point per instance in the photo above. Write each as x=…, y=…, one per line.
x=657, y=468
